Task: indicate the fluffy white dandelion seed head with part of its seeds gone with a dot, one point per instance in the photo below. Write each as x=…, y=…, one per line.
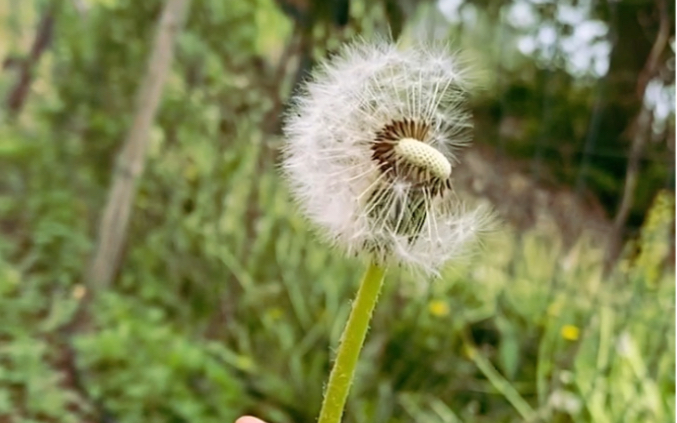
x=370, y=144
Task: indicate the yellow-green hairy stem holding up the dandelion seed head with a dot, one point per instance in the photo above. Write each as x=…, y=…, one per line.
x=342, y=373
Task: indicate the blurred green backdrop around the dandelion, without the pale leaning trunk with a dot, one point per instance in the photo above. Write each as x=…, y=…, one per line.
x=225, y=302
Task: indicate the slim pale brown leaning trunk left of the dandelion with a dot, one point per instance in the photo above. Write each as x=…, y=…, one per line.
x=131, y=161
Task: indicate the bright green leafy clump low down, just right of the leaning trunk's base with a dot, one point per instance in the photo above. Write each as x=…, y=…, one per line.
x=143, y=370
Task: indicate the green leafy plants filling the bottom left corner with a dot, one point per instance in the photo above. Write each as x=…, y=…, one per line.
x=30, y=383
